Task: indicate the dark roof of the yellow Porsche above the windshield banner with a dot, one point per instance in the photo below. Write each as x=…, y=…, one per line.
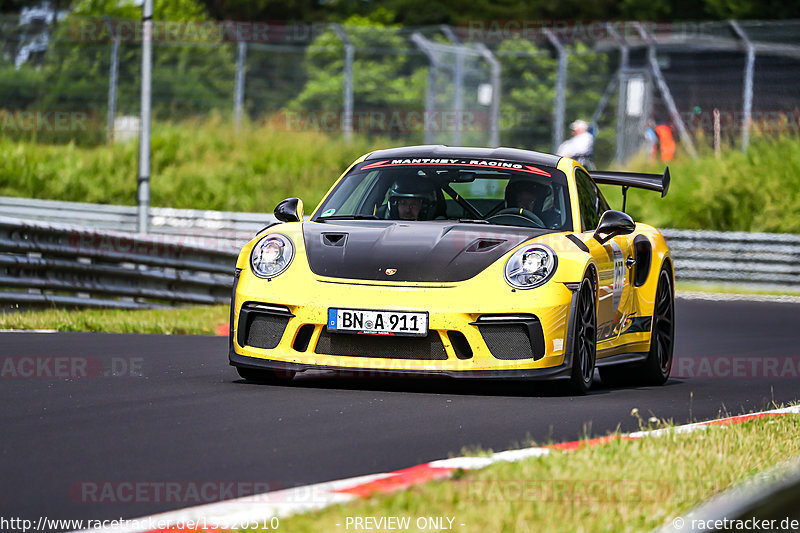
x=465, y=152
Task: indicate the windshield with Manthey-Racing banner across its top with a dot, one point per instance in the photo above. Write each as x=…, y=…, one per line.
x=476, y=191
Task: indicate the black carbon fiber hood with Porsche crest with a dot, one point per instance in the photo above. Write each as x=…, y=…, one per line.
x=436, y=251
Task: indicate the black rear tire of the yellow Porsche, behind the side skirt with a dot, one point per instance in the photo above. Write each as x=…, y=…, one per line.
x=657, y=366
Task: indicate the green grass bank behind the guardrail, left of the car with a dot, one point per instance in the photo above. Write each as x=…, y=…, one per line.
x=197, y=165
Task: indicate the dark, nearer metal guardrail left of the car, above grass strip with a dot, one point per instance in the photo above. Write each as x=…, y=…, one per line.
x=45, y=263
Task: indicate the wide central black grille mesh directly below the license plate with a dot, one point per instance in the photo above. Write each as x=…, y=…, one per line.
x=384, y=346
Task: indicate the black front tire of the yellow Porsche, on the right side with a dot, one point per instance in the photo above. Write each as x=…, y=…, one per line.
x=584, y=341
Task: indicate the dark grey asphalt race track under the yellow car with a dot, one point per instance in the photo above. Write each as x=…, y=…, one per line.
x=188, y=420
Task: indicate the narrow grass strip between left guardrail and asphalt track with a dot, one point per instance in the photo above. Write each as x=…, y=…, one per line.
x=199, y=320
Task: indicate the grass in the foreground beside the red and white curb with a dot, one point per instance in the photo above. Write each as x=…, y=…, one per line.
x=619, y=486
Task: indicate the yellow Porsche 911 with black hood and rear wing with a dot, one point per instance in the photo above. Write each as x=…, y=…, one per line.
x=460, y=262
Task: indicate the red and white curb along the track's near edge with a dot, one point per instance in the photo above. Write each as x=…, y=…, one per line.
x=262, y=508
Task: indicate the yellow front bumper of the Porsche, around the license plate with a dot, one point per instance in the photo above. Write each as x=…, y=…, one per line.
x=303, y=342
